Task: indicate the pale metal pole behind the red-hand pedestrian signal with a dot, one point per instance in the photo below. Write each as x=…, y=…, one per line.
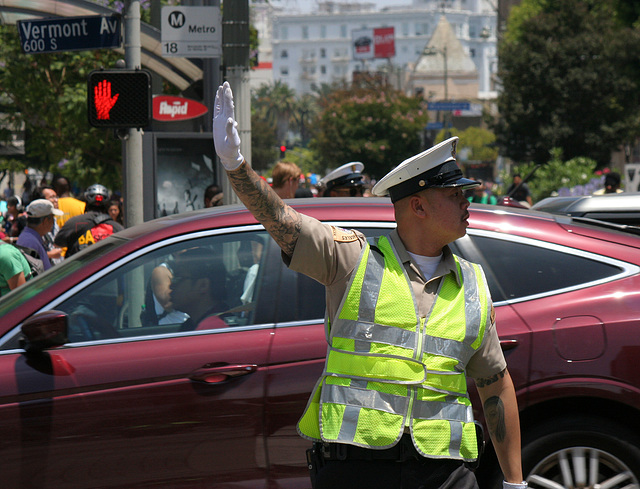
x=132, y=163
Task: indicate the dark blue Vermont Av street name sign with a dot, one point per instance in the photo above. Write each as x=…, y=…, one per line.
x=69, y=34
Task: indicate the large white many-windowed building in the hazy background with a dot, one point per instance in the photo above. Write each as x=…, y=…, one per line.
x=306, y=50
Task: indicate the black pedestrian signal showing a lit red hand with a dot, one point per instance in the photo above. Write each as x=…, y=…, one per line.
x=119, y=98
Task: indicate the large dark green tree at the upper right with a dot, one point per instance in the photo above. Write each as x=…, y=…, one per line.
x=570, y=79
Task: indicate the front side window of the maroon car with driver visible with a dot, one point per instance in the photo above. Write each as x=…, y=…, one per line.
x=205, y=283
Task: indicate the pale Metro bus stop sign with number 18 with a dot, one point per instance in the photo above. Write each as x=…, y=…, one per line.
x=191, y=32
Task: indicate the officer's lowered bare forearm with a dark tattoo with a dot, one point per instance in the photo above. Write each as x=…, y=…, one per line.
x=501, y=412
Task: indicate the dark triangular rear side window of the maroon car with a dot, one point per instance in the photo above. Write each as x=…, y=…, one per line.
x=516, y=270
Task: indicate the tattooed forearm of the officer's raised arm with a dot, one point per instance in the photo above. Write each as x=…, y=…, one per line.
x=280, y=220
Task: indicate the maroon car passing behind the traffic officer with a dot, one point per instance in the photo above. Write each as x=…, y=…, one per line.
x=100, y=389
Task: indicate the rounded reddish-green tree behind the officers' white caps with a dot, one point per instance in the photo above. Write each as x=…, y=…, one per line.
x=378, y=126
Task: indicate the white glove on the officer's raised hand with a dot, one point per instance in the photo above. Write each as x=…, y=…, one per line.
x=225, y=133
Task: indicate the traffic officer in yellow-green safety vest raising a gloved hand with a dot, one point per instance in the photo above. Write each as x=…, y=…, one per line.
x=391, y=409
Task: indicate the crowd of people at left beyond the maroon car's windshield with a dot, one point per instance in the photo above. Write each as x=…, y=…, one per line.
x=48, y=224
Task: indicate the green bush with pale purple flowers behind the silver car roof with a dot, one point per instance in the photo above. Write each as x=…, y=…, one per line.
x=556, y=174
